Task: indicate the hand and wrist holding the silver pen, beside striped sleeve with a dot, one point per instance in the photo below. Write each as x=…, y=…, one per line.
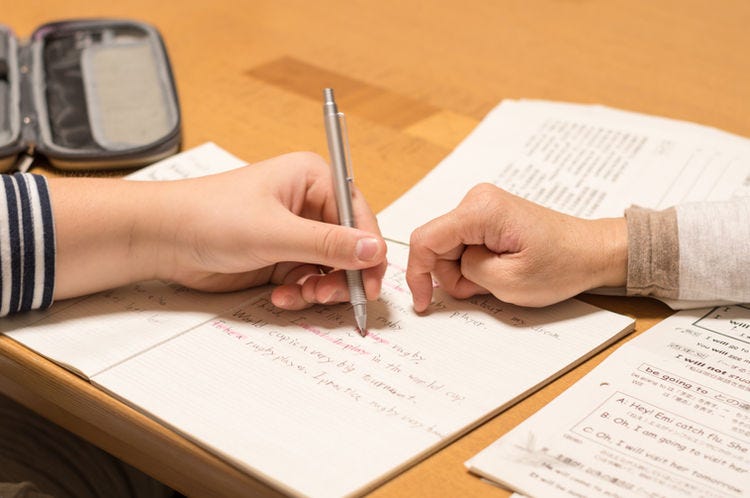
x=271, y=222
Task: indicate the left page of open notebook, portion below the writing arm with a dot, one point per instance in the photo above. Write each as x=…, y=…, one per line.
x=88, y=335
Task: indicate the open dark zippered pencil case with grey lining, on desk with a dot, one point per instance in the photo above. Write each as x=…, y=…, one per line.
x=87, y=94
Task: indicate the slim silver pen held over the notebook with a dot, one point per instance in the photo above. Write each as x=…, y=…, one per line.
x=342, y=178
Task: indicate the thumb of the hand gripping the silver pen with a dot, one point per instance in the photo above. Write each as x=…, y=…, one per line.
x=309, y=241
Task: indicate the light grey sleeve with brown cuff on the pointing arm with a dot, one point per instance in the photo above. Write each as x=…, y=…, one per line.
x=698, y=251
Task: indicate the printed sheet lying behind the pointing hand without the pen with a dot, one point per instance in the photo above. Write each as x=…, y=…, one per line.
x=586, y=160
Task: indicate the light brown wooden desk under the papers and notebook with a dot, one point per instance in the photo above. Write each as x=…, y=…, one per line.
x=415, y=78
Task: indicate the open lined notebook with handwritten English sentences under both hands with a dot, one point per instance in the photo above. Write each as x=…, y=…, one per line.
x=299, y=399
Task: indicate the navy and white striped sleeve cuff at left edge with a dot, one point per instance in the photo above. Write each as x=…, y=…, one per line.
x=27, y=244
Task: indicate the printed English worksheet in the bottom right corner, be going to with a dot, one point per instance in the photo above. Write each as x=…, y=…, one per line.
x=667, y=414
